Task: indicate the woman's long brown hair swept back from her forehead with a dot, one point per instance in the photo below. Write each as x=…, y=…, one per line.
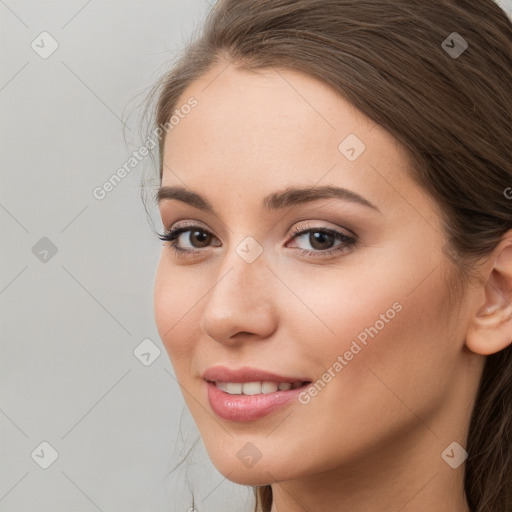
x=452, y=113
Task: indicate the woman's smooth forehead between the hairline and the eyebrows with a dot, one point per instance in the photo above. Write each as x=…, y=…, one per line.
x=257, y=132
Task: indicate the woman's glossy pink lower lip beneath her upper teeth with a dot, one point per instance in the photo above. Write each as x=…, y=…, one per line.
x=248, y=407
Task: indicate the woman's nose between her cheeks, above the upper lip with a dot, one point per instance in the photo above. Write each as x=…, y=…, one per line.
x=241, y=303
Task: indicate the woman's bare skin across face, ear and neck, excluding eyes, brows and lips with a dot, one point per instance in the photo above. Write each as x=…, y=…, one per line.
x=372, y=439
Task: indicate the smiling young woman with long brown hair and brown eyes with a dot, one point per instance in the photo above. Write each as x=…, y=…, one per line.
x=335, y=286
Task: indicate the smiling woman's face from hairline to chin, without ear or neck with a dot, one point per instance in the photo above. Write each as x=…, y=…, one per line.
x=366, y=316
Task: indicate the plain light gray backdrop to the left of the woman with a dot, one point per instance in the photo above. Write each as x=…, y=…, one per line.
x=70, y=323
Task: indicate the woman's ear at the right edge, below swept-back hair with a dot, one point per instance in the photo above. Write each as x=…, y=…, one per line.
x=490, y=327
